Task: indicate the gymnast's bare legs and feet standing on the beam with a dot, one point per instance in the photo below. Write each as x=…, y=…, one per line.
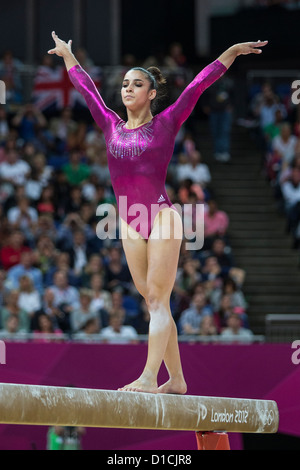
x=153, y=266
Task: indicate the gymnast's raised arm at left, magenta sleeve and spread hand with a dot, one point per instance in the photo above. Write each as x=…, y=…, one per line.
x=83, y=83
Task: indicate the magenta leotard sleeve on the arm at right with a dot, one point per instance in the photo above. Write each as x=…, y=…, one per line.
x=179, y=111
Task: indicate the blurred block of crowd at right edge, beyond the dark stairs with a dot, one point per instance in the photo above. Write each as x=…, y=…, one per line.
x=276, y=113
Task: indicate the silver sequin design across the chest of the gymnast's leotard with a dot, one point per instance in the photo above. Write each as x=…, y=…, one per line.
x=123, y=144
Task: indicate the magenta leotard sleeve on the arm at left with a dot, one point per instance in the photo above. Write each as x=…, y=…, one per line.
x=85, y=85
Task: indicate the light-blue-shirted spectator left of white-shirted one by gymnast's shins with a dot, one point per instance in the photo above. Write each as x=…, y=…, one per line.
x=81, y=315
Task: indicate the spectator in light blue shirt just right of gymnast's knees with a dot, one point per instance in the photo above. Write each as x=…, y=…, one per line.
x=191, y=318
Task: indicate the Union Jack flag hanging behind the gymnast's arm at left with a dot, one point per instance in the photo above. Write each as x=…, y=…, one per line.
x=52, y=87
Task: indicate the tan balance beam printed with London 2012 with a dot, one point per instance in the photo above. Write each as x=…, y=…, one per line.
x=42, y=405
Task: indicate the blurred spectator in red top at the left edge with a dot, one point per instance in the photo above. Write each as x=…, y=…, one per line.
x=10, y=254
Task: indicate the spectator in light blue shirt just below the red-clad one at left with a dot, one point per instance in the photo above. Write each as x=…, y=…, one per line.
x=25, y=267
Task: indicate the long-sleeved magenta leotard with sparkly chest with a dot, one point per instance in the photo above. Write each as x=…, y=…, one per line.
x=138, y=158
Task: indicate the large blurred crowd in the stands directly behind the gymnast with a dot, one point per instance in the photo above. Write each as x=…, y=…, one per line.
x=57, y=277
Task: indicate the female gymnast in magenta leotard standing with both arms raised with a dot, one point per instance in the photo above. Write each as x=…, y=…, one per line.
x=139, y=151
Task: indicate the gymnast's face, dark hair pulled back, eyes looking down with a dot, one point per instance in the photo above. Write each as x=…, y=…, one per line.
x=136, y=93
